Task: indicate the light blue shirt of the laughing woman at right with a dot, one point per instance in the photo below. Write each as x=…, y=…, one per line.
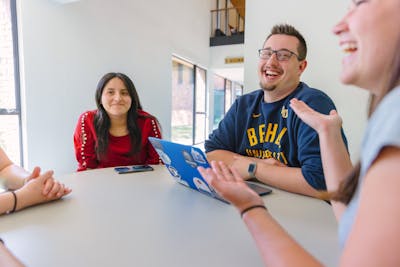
x=383, y=129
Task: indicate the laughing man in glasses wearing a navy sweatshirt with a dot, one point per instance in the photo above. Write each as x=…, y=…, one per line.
x=260, y=135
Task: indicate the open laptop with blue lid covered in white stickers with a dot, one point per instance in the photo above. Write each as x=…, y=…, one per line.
x=182, y=162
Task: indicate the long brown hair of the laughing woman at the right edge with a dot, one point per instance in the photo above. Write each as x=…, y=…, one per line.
x=348, y=187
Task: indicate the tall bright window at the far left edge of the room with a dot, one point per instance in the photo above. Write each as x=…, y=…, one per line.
x=10, y=108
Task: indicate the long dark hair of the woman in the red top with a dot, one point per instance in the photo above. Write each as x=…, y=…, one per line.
x=102, y=121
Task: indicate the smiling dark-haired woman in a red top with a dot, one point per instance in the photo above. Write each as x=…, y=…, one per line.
x=115, y=134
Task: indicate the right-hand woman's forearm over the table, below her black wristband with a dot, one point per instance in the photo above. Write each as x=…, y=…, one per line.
x=277, y=247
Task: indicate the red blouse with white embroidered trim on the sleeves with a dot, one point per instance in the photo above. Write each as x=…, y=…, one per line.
x=85, y=140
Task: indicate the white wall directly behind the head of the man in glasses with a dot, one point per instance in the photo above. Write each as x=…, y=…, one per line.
x=315, y=20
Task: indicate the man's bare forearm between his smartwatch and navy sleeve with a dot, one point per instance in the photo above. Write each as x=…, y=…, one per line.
x=287, y=178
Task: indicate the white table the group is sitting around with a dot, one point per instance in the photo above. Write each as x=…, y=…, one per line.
x=147, y=219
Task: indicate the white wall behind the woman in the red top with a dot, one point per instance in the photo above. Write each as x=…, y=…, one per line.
x=65, y=49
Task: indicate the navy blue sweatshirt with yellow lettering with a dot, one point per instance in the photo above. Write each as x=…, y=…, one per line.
x=254, y=128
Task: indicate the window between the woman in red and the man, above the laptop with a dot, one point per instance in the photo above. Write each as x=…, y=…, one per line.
x=189, y=116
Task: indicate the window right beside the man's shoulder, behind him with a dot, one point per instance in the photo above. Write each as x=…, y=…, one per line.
x=225, y=93
